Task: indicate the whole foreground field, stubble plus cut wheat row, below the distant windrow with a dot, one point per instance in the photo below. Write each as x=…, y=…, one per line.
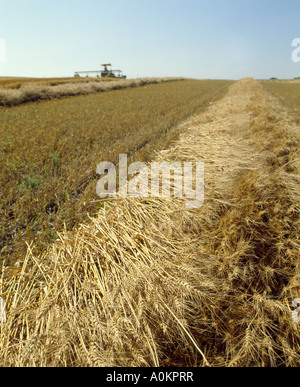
x=146, y=282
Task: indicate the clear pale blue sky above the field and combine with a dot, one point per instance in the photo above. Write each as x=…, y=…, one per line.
x=193, y=38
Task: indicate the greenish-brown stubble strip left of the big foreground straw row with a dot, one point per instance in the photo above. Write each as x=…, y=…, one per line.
x=49, y=152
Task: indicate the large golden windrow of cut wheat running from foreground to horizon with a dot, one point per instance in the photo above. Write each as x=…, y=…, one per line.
x=149, y=283
